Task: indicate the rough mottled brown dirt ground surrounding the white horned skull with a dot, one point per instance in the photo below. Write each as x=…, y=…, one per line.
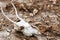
x=44, y=14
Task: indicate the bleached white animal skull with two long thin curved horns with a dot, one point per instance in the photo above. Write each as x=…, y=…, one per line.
x=28, y=30
